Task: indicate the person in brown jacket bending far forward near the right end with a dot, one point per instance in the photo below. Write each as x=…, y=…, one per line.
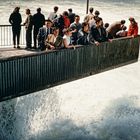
x=114, y=28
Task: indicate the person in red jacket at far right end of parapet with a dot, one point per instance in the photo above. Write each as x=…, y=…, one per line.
x=133, y=28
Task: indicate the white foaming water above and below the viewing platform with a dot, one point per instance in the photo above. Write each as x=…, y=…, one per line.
x=101, y=107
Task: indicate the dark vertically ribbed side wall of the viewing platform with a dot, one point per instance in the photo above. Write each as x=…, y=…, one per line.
x=25, y=74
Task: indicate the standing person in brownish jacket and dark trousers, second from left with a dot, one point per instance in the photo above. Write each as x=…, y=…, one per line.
x=28, y=26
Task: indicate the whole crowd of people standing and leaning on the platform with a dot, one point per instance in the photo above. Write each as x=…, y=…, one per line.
x=66, y=30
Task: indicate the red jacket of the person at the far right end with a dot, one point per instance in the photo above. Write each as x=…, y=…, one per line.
x=133, y=30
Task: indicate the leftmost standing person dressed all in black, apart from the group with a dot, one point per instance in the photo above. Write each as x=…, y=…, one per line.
x=15, y=20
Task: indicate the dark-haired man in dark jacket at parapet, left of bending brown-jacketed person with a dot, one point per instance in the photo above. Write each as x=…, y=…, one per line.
x=98, y=33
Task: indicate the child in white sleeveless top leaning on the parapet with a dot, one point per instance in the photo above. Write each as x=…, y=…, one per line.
x=67, y=43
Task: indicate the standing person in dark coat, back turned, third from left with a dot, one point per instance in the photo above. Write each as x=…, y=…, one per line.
x=38, y=22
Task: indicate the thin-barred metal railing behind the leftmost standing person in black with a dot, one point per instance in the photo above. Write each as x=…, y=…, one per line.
x=6, y=37
